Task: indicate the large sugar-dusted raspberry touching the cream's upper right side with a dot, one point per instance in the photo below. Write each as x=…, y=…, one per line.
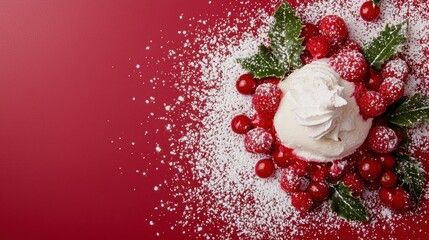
x=351, y=65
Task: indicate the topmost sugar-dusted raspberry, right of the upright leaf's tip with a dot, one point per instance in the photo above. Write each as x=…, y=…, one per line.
x=333, y=28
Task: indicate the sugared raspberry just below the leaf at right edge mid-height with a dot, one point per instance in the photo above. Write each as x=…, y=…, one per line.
x=382, y=139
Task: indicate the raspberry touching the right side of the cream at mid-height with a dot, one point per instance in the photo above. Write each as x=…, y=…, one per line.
x=371, y=104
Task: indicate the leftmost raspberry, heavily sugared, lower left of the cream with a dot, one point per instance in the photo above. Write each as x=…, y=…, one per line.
x=258, y=140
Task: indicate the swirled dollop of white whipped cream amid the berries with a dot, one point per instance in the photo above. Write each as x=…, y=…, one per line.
x=318, y=116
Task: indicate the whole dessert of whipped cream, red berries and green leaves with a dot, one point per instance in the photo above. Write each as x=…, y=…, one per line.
x=331, y=115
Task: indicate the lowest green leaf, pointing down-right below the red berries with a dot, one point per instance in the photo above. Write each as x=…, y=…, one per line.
x=346, y=205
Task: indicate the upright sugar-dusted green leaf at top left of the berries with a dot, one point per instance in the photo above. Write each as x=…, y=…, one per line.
x=284, y=34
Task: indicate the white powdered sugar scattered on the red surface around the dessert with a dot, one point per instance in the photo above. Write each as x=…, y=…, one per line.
x=223, y=191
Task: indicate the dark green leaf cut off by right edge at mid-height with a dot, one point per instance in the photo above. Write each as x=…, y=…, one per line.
x=413, y=110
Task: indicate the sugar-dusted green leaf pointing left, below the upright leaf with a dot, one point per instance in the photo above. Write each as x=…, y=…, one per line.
x=263, y=64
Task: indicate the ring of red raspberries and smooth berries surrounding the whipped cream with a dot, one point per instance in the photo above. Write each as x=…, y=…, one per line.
x=372, y=165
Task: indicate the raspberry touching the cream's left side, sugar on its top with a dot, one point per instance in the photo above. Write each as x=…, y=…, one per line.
x=266, y=99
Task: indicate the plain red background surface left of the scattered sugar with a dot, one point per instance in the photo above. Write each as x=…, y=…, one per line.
x=59, y=172
